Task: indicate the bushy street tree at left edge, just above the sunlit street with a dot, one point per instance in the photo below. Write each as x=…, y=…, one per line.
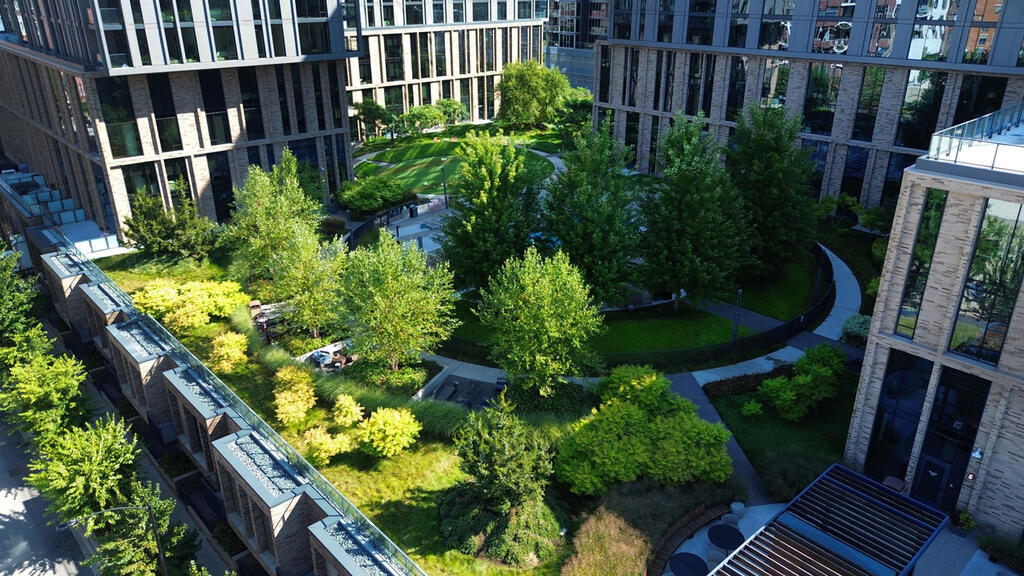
x=44, y=396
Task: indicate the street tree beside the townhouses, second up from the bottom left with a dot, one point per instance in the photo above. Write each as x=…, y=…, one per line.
x=88, y=470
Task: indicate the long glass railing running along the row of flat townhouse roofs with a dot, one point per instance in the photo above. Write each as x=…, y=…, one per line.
x=395, y=559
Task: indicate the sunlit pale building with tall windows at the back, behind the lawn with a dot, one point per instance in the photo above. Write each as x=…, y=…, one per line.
x=418, y=52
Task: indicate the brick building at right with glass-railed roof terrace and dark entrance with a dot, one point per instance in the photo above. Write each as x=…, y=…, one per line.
x=941, y=408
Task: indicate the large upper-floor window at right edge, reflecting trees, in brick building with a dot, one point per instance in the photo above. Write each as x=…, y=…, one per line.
x=993, y=284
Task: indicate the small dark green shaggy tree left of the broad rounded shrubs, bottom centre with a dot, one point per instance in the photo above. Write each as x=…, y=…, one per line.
x=510, y=462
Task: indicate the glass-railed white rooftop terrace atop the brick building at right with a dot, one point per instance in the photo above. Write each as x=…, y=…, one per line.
x=974, y=144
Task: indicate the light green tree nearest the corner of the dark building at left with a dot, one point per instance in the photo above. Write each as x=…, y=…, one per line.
x=271, y=210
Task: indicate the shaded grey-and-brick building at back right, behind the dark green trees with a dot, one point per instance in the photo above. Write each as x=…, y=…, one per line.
x=874, y=80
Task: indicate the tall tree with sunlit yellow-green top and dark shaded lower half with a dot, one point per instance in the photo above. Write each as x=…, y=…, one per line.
x=494, y=201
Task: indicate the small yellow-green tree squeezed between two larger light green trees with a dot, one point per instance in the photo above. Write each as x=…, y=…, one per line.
x=312, y=275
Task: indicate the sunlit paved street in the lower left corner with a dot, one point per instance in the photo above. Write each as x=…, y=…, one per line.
x=29, y=547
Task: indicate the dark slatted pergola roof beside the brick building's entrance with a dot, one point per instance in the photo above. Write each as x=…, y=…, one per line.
x=844, y=523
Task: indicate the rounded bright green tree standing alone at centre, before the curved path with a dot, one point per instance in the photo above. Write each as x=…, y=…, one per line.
x=541, y=316
